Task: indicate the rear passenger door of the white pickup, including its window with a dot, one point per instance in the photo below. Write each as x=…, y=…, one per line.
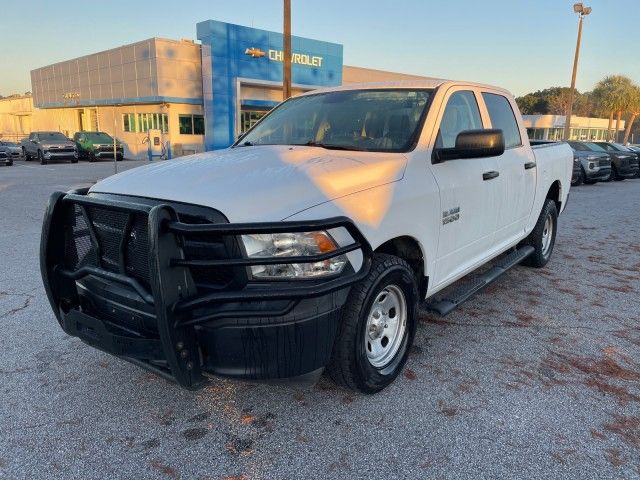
x=517, y=167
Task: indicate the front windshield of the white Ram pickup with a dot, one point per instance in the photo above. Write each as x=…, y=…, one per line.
x=370, y=120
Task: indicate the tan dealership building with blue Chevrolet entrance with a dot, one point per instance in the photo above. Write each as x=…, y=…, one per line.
x=194, y=96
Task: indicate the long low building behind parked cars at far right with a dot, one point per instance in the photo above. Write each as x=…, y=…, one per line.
x=551, y=127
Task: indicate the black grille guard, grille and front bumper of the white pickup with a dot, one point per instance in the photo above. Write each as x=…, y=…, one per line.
x=269, y=331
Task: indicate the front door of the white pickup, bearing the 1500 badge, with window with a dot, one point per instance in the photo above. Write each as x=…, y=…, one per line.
x=467, y=199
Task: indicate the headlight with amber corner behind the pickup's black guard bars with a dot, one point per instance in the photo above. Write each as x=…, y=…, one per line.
x=302, y=244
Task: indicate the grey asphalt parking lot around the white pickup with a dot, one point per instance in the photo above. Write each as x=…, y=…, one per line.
x=537, y=377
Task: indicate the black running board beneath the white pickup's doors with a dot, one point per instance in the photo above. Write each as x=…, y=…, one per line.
x=464, y=292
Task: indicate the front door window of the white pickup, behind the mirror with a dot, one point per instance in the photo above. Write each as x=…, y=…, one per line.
x=460, y=114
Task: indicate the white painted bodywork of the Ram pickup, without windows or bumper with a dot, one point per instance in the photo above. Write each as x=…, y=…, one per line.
x=387, y=195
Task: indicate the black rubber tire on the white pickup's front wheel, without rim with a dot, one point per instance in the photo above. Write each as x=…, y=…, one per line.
x=350, y=365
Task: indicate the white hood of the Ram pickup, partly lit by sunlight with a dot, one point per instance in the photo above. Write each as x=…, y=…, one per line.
x=259, y=183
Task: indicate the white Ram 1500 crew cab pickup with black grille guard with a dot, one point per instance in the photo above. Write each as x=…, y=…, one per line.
x=308, y=244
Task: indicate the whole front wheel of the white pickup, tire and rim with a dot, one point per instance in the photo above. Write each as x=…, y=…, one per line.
x=377, y=327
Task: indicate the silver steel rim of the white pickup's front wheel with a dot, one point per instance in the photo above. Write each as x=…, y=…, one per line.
x=386, y=326
